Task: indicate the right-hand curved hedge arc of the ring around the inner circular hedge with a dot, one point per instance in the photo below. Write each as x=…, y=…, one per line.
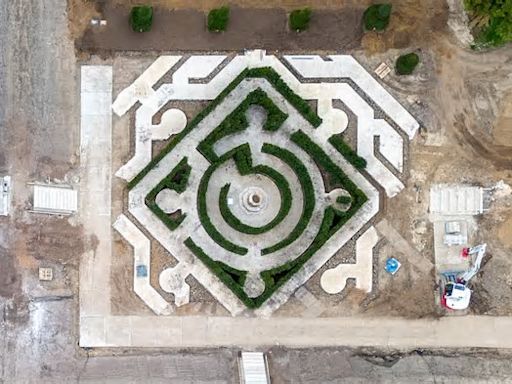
x=307, y=189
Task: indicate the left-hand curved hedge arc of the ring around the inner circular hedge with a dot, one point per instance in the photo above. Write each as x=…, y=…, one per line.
x=202, y=208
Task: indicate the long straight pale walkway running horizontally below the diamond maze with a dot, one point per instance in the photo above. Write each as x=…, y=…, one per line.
x=456, y=332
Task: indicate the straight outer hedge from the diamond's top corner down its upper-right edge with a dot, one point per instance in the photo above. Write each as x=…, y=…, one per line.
x=298, y=102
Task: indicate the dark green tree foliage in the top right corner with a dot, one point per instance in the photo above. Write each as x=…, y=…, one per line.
x=498, y=29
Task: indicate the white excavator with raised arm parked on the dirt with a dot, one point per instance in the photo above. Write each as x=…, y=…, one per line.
x=456, y=293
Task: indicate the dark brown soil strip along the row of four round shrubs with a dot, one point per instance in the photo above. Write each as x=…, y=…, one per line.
x=249, y=28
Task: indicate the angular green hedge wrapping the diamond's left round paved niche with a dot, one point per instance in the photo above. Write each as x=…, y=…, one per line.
x=176, y=180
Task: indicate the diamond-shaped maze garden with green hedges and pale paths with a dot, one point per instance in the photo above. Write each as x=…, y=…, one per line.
x=251, y=189
